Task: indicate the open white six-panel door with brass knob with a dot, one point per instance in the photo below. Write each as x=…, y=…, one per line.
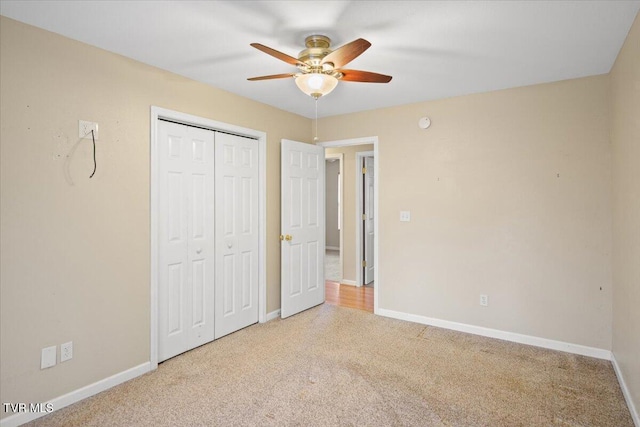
x=302, y=226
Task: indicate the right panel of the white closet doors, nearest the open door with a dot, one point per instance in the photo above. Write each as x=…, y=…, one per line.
x=237, y=238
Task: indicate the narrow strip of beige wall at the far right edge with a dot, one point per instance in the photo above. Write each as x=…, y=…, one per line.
x=625, y=138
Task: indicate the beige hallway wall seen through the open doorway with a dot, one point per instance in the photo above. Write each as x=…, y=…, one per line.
x=350, y=200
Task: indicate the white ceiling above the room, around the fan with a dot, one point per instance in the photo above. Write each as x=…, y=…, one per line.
x=433, y=49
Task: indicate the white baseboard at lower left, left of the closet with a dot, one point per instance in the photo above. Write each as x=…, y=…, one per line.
x=78, y=395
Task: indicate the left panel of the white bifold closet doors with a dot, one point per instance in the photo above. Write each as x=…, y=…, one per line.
x=186, y=238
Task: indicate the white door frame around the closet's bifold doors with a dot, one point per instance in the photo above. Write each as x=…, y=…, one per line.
x=191, y=120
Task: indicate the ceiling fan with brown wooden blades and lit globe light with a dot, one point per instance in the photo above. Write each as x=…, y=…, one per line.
x=320, y=67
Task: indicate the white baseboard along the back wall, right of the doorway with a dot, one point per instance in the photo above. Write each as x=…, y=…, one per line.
x=503, y=335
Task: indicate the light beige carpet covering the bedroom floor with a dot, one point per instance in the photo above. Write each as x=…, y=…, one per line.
x=332, y=366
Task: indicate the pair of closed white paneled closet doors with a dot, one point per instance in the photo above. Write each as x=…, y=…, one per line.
x=208, y=236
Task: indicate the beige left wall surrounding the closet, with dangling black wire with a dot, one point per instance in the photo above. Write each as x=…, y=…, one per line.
x=75, y=251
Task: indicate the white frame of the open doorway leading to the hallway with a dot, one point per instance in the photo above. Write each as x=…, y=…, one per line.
x=376, y=180
